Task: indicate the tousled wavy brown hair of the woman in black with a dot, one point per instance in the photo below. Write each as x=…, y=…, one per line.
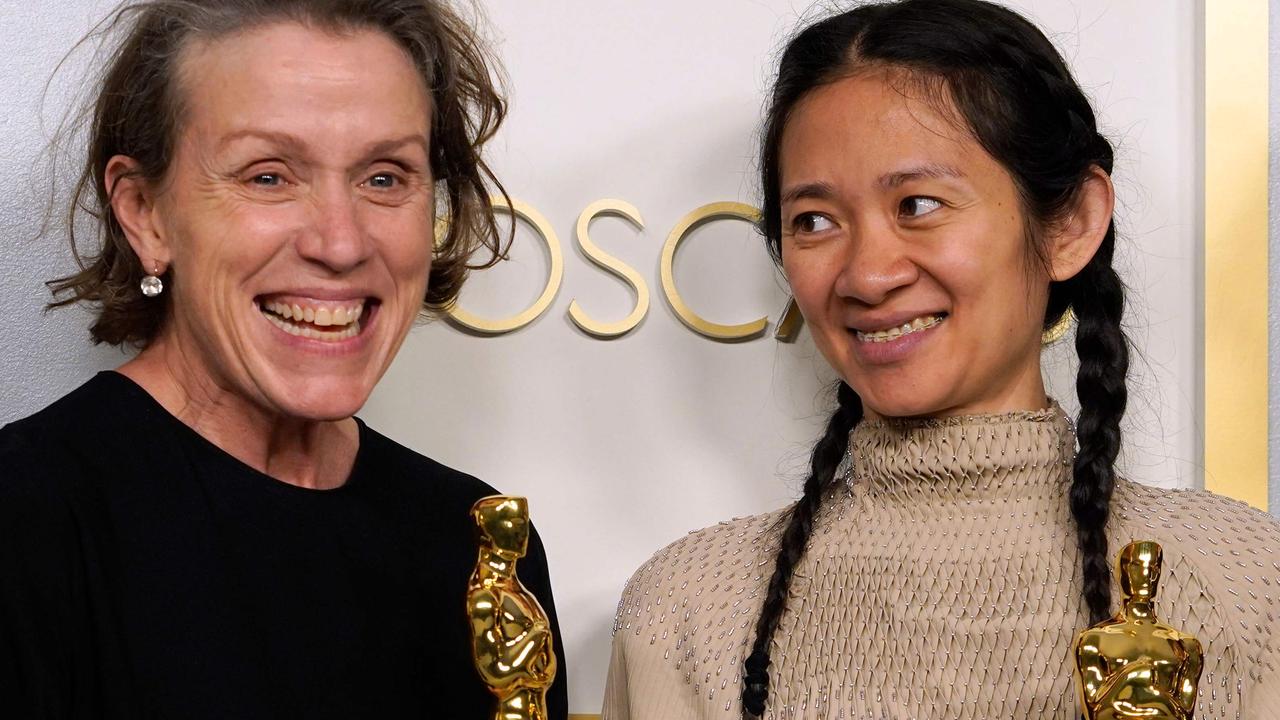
x=138, y=112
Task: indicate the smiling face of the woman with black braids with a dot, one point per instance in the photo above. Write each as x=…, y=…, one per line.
x=907, y=250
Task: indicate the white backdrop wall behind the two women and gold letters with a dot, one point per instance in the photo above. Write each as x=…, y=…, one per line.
x=624, y=445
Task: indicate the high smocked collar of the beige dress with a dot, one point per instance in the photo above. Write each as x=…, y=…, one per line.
x=962, y=459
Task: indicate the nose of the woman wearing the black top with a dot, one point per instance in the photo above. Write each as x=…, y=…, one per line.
x=337, y=238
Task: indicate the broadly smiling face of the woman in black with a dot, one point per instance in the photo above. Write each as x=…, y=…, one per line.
x=296, y=218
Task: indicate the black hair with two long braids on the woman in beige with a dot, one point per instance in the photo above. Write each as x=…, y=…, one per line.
x=1016, y=94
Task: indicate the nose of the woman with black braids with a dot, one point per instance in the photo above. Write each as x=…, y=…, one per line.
x=875, y=266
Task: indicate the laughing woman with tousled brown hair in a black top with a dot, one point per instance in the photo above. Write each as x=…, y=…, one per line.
x=209, y=531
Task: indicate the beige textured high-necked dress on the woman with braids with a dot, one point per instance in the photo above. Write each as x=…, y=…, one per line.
x=943, y=582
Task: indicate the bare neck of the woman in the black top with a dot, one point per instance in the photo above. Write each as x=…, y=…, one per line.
x=312, y=454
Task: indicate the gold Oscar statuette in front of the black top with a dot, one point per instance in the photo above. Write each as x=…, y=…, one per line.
x=511, y=636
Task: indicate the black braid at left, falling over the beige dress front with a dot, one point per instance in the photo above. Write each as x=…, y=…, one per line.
x=826, y=459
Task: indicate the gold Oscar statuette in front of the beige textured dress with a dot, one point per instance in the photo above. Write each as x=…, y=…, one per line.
x=1133, y=666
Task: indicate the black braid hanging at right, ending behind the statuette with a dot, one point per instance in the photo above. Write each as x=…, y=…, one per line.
x=1098, y=297
